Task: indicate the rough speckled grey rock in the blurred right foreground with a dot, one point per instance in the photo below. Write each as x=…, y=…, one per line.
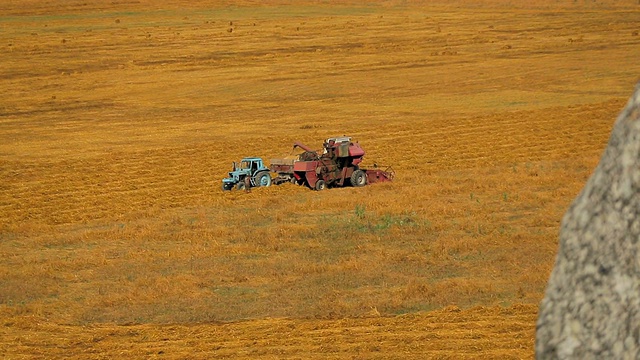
x=591, y=308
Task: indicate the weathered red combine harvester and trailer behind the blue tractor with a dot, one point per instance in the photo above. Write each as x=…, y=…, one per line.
x=337, y=165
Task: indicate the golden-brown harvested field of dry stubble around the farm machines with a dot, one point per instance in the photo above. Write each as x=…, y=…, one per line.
x=118, y=121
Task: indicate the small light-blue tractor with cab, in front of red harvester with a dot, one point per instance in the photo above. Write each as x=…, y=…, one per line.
x=250, y=172
